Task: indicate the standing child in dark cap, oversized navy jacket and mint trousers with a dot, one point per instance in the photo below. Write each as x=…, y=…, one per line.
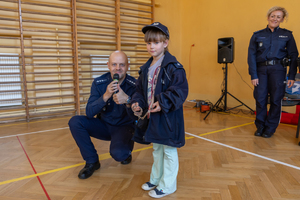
x=161, y=91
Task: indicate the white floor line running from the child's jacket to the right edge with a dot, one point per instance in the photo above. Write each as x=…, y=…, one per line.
x=247, y=152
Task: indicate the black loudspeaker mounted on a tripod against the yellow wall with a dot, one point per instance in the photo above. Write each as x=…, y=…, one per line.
x=225, y=50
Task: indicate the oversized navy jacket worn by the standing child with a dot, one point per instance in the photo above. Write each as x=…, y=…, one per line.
x=167, y=126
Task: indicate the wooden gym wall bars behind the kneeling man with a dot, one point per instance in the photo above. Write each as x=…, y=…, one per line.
x=50, y=51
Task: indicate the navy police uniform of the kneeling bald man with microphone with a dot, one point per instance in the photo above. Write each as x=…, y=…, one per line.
x=112, y=122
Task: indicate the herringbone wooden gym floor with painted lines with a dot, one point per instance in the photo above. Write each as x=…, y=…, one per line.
x=222, y=159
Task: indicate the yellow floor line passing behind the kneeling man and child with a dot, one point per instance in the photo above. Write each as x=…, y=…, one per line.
x=106, y=156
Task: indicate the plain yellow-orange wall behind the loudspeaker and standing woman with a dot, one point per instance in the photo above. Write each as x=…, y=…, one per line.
x=202, y=22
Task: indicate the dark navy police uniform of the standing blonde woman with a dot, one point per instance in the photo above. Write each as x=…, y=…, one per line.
x=266, y=51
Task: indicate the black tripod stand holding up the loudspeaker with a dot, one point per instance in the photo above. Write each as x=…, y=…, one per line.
x=224, y=96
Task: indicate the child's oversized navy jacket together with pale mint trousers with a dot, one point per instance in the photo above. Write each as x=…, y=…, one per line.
x=166, y=128
